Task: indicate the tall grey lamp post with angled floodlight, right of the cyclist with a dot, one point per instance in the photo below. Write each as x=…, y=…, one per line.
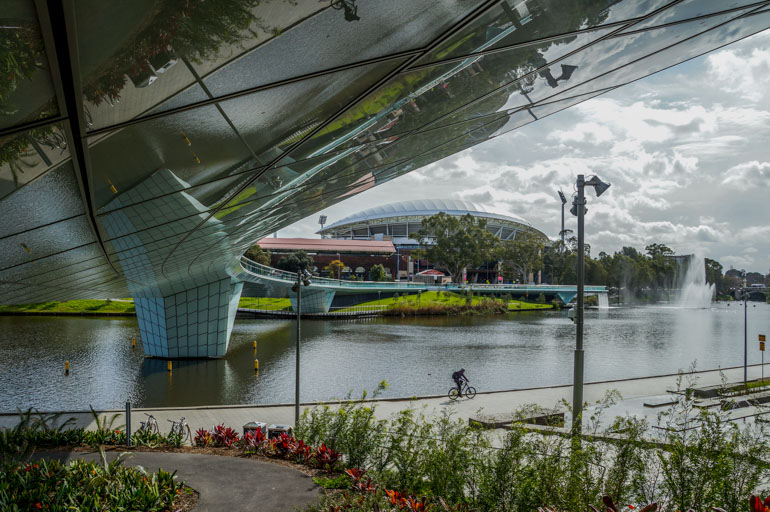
x=579, y=210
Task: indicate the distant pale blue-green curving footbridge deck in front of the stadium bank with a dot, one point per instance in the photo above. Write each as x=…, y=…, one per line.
x=318, y=295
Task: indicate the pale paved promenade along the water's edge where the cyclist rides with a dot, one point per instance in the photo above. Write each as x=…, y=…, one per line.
x=494, y=403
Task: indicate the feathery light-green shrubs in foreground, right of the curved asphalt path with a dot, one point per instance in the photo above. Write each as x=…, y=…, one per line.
x=691, y=459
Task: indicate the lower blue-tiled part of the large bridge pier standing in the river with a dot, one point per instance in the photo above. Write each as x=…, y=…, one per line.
x=194, y=323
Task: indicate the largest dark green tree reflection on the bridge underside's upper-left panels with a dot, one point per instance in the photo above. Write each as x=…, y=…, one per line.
x=195, y=30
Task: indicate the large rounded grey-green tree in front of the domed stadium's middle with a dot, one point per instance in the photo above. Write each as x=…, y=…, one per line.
x=455, y=243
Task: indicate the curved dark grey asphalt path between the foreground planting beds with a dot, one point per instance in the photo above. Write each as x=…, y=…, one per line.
x=225, y=483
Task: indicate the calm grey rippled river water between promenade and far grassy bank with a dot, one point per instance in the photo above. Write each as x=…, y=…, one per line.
x=415, y=356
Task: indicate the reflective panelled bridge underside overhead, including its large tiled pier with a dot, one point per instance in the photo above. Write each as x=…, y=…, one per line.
x=145, y=145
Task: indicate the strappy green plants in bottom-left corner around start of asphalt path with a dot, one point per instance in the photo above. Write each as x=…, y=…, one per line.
x=27, y=484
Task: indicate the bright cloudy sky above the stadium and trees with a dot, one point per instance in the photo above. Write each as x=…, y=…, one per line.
x=687, y=152
